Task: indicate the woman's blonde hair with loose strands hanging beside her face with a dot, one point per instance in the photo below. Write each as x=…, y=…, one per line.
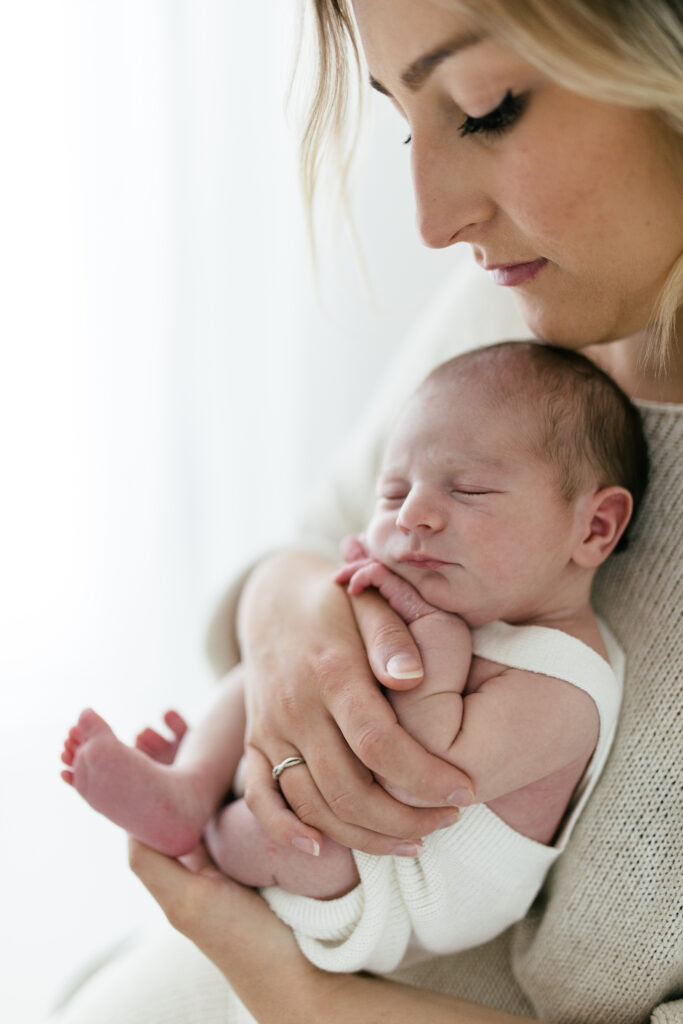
x=621, y=52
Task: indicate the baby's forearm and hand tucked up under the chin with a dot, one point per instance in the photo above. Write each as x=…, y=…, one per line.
x=433, y=711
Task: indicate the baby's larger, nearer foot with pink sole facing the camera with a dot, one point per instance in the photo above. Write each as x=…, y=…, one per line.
x=159, y=805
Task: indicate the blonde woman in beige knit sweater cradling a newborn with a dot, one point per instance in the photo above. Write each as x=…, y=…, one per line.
x=547, y=136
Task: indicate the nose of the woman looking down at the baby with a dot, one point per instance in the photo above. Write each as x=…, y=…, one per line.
x=452, y=204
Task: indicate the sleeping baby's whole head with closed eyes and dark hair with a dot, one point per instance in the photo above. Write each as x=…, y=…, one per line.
x=511, y=475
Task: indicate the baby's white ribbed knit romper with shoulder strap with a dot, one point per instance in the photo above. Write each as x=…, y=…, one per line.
x=476, y=879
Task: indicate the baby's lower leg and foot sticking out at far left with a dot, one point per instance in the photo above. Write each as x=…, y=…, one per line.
x=166, y=806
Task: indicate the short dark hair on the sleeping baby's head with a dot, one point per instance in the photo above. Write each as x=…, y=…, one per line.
x=584, y=415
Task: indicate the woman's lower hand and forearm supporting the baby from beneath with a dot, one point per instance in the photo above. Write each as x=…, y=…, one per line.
x=259, y=956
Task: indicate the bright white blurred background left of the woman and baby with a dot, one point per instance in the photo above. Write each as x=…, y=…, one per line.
x=169, y=388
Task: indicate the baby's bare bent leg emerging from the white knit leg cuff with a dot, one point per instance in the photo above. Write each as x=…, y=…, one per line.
x=242, y=849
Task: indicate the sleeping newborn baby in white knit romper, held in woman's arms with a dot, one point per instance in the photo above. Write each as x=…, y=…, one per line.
x=509, y=478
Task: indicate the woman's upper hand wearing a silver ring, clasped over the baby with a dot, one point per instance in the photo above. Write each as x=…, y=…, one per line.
x=312, y=692
